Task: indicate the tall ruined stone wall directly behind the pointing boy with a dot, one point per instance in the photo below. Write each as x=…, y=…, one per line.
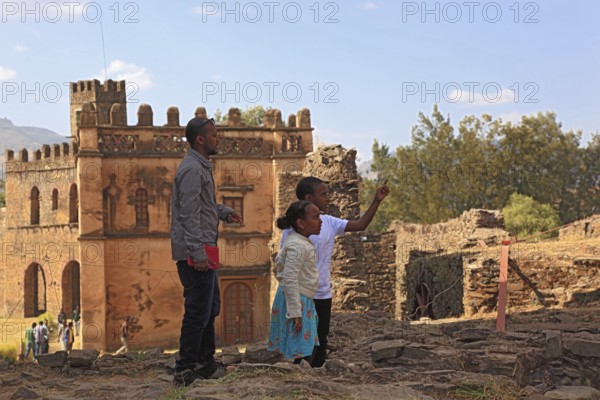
x=362, y=267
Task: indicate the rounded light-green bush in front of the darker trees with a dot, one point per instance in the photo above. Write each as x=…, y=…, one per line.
x=524, y=216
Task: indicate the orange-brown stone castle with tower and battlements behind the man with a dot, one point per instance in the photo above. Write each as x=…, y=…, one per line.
x=88, y=222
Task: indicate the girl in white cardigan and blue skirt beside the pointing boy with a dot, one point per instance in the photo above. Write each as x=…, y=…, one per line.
x=293, y=330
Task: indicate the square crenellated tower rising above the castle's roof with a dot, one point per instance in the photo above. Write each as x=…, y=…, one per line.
x=101, y=96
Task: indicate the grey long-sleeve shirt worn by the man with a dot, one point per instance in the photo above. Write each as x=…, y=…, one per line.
x=195, y=213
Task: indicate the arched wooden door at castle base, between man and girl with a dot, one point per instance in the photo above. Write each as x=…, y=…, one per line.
x=238, y=312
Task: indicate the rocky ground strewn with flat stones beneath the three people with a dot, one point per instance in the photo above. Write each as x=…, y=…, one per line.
x=545, y=354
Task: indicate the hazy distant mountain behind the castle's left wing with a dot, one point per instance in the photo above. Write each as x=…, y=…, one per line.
x=31, y=138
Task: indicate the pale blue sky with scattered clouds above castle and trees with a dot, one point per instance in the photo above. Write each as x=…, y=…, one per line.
x=364, y=68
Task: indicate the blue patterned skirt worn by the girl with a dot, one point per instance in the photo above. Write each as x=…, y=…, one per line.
x=282, y=337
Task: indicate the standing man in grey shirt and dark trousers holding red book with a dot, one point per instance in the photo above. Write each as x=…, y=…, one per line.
x=194, y=223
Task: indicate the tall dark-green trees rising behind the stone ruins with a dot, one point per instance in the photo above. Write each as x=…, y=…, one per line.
x=445, y=171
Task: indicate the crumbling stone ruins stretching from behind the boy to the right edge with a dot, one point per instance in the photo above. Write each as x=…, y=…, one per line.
x=442, y=270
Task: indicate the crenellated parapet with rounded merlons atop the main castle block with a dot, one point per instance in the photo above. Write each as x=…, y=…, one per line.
x=145, y=138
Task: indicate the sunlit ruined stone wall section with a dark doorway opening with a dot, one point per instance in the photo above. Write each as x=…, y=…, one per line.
x=431, y=261
